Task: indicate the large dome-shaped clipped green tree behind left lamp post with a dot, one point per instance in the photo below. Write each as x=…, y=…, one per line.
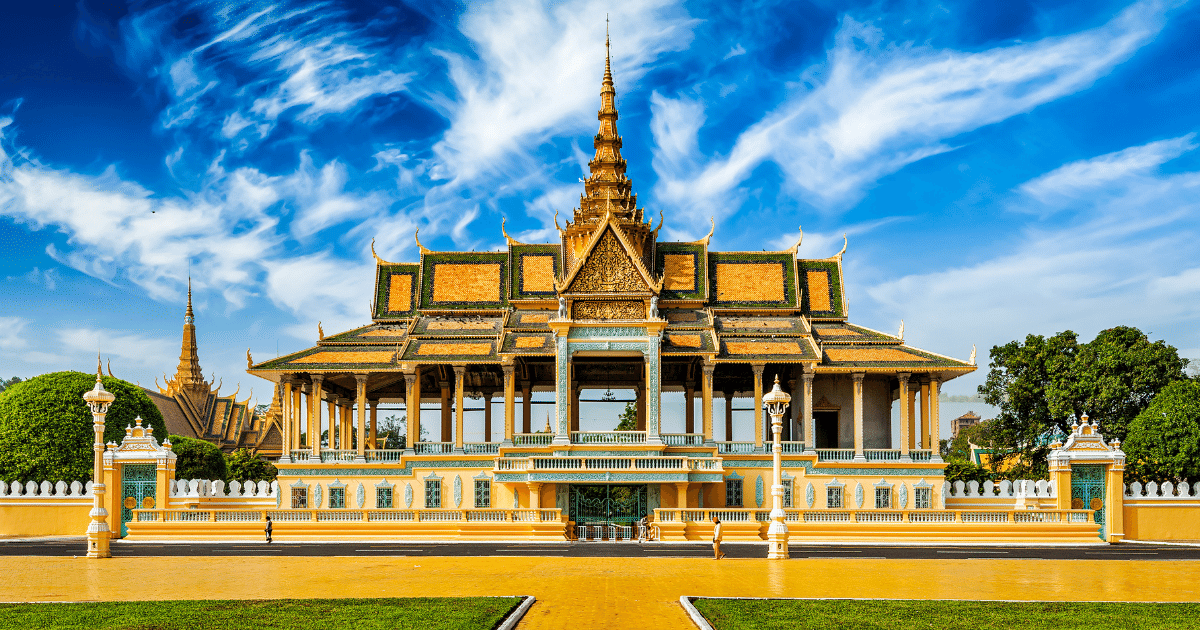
x=46, y=430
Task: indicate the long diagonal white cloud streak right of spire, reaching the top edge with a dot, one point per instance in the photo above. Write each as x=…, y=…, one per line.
x=874, y=107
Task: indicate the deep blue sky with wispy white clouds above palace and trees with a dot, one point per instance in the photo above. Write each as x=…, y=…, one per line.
x=1001, y=169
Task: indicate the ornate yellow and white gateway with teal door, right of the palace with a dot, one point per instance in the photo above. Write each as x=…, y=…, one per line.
x=1089, y=473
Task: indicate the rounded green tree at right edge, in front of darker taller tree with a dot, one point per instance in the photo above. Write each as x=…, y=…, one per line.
x=1165, y=441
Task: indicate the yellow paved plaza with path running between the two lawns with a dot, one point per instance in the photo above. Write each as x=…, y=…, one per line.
x=593, y=592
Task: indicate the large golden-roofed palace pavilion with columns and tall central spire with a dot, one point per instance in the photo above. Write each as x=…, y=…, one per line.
x=609, y=307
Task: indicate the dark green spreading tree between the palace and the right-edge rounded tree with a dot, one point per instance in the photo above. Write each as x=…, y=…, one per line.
x=1043, y=385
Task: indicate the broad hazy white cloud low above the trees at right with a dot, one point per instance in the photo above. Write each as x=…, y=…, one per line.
x=1126, y=257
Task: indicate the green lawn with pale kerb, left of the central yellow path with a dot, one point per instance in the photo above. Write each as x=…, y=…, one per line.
x=436, y=614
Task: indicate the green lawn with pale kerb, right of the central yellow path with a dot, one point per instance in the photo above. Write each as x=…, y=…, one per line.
x=861, y=615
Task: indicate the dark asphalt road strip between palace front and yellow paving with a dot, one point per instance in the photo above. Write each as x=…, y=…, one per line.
x=596, y=550
